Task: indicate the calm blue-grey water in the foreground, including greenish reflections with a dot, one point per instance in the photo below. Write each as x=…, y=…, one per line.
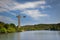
x=32, y=35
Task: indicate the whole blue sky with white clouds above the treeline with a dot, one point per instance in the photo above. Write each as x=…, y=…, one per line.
x=36, y=11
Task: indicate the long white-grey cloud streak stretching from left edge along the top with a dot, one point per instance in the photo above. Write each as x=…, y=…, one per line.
x=7, y=5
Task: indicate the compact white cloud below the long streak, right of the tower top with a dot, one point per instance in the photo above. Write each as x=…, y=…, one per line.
x=34, y=13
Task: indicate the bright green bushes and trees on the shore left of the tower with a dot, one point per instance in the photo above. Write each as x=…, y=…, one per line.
x=7, y=28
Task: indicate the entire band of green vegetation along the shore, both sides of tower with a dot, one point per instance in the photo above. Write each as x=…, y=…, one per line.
x=8, y=28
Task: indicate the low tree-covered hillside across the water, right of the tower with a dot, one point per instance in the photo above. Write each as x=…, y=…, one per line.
x=41, y=27
